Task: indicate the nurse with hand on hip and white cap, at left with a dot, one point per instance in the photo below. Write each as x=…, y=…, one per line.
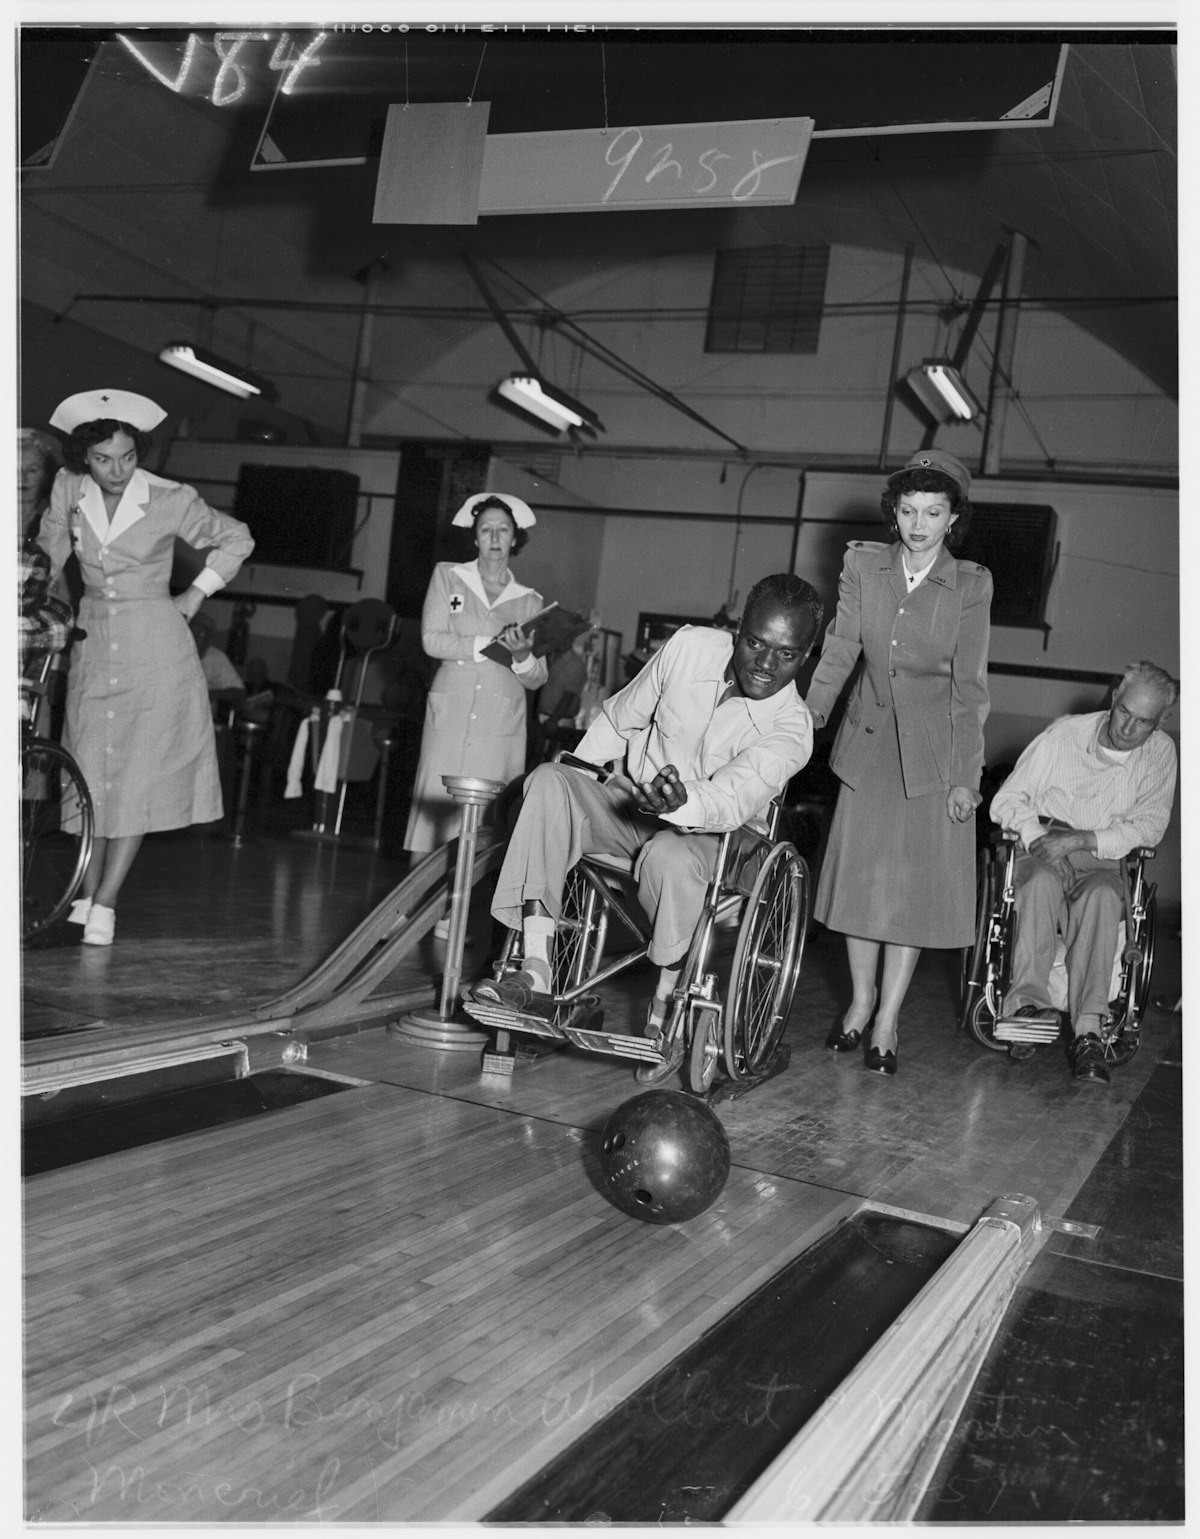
x=138, y=713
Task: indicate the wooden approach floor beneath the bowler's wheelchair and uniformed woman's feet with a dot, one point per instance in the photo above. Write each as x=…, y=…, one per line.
x=958, y=1126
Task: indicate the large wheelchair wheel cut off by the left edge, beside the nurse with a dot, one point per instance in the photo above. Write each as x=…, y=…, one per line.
x=58, y=827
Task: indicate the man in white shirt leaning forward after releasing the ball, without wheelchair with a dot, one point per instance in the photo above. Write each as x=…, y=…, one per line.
x=701, y=741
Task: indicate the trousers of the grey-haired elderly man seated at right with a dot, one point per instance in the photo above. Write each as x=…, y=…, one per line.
x=1087, y=913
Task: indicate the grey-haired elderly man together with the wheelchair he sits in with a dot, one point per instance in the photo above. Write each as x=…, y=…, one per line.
x=1085, y=806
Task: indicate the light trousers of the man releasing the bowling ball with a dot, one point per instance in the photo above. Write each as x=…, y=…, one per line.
x=568, y=815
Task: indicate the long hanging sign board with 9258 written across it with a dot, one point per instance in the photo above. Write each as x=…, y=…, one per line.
x=668, y=165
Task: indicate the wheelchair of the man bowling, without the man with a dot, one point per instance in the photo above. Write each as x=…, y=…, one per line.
x=759, y=884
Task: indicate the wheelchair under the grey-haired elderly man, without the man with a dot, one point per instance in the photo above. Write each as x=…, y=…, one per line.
x=987, y=964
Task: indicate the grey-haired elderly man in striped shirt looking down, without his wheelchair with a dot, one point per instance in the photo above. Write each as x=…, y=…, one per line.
x=1085, y=793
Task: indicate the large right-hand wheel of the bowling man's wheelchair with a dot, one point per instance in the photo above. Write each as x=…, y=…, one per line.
x=767, y=963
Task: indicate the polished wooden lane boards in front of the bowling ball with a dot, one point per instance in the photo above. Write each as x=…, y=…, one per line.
x=385, y=1306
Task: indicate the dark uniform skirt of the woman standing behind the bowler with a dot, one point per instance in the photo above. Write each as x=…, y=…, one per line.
x=898, y=869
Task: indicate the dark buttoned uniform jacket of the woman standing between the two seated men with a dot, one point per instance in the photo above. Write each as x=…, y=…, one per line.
x=924, y=666
